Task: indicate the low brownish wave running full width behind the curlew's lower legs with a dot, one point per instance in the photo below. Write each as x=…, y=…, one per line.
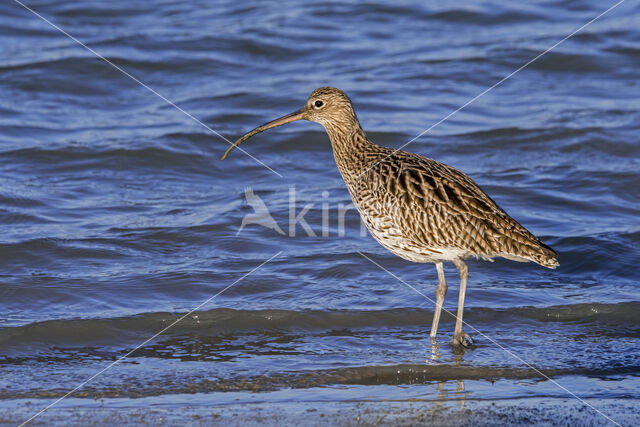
x=106, y=331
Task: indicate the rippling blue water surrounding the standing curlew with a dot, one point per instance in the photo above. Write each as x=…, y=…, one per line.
x=119, y=217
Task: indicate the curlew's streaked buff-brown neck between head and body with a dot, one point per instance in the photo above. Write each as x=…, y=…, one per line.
x=350, y=146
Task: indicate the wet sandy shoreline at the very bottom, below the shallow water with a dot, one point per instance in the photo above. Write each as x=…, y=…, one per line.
x=257, y=408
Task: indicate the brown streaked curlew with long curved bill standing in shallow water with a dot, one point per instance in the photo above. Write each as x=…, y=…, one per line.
x=416, y=207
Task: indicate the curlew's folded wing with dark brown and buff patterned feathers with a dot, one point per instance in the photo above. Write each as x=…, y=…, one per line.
x=440, y=207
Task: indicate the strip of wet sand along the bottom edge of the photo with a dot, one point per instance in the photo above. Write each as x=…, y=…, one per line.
x=507, y=412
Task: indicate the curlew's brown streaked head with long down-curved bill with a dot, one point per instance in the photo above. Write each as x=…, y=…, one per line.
x=328, y=106
